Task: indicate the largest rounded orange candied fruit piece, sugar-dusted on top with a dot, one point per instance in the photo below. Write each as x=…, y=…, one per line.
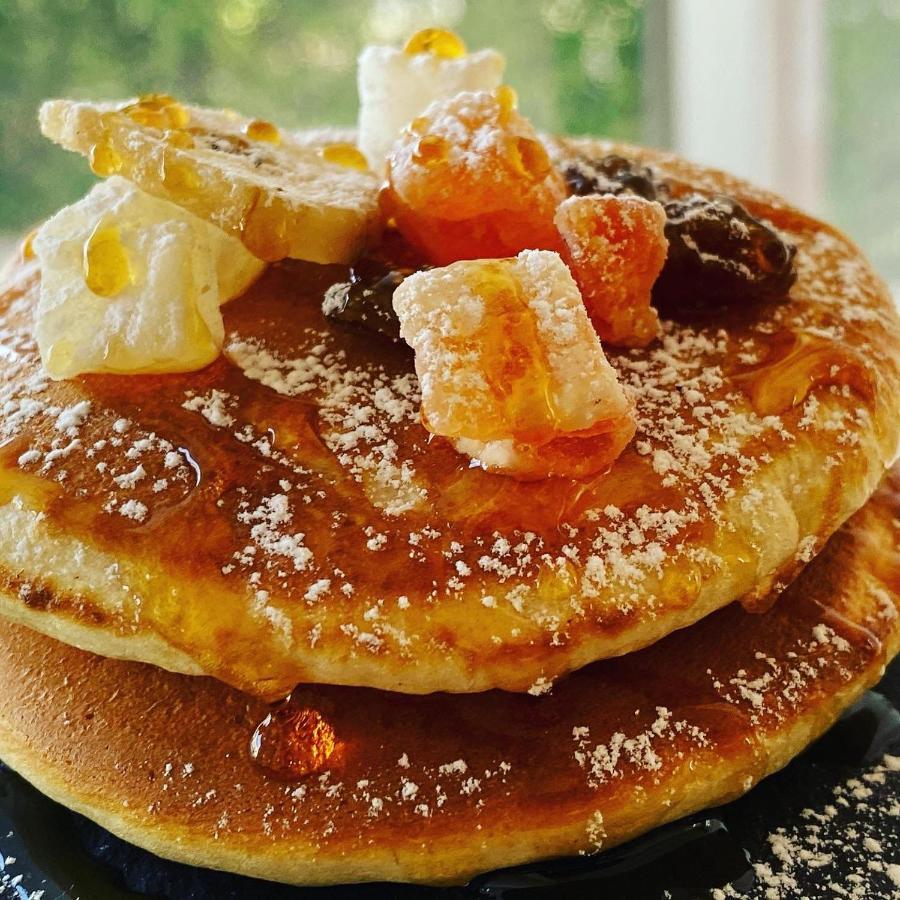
x=470, y=179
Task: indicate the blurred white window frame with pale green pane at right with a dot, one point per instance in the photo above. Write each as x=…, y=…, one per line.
x=802, y=97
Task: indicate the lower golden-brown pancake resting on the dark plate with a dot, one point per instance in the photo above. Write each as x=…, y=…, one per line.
x=437, y=788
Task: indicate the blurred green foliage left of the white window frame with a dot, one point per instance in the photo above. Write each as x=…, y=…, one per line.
x=575, y=63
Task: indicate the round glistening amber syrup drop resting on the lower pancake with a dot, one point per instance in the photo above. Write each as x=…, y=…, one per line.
x=292, y=741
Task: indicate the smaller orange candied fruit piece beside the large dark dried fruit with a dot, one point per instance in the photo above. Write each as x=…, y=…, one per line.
x=616, y=248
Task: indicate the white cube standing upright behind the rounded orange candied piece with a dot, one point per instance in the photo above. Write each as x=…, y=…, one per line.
x=395, y=86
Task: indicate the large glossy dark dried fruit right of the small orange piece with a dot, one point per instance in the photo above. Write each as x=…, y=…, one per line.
x=718, y=252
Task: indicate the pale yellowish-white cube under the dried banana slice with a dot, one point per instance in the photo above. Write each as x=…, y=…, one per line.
x=133, y=284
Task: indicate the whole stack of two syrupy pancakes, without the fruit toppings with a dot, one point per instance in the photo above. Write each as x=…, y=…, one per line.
x=481, y=671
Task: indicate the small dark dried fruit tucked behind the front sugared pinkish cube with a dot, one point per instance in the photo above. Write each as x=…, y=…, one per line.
x=366, y=300
